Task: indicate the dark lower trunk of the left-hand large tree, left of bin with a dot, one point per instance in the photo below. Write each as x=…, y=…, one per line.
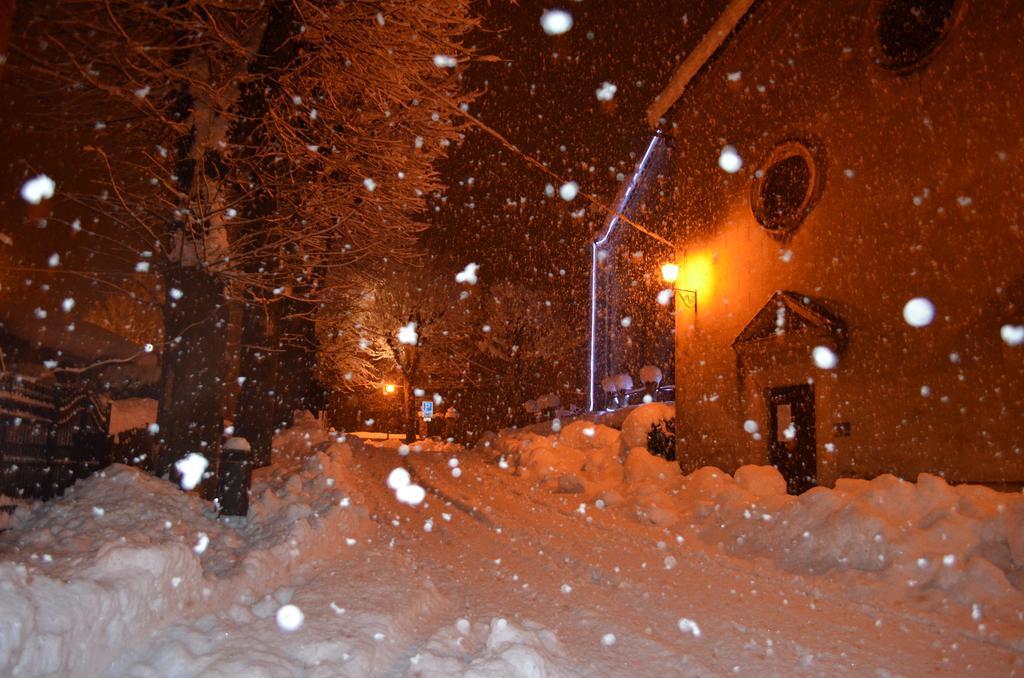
x=195, y=359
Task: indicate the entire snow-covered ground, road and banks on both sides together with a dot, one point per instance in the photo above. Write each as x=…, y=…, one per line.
x=568, y=555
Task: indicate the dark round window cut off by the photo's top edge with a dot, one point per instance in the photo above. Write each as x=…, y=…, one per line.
x=909, y=31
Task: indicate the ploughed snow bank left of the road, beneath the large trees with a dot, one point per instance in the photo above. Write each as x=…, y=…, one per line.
x=123, y=555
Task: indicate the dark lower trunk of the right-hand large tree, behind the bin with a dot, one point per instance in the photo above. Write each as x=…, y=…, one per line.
x=258, y=415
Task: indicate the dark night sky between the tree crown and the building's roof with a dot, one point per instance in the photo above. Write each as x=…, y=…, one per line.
x=543, y=99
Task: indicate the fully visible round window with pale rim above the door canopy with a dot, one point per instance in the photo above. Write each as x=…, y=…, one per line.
x=786, y=188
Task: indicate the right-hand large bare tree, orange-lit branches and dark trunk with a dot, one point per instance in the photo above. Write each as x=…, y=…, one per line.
x=364, y=110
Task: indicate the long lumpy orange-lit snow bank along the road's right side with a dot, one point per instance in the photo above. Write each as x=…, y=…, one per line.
x=965, y=540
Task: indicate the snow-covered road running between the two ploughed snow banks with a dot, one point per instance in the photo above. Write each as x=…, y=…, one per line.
x=492, y=576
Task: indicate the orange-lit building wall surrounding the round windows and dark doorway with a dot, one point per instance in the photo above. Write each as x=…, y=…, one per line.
x=920, y=172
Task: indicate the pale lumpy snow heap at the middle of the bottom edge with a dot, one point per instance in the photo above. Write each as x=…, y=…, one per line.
x=496, y=649
